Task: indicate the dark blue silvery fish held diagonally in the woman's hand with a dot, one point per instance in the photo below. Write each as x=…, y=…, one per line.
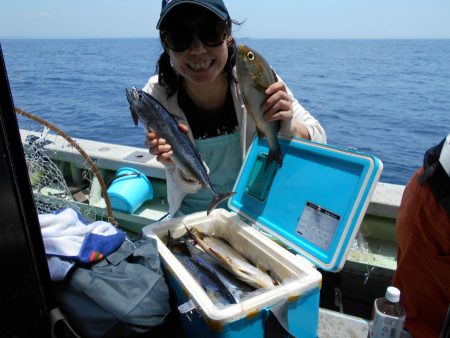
x=154, y=116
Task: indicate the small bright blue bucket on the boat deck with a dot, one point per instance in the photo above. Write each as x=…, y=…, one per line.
x=129, y=190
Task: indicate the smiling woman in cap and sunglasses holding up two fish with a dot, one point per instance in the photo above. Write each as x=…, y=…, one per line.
x=196, y=82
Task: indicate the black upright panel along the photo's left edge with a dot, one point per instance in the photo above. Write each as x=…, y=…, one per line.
x=24, y=279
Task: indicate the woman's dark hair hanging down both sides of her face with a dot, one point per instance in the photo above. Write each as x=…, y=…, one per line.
x=169, y=79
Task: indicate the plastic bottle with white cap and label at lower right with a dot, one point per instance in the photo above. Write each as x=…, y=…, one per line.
x=388, y=315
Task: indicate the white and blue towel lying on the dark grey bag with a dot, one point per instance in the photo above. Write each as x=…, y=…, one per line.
x=68, y=240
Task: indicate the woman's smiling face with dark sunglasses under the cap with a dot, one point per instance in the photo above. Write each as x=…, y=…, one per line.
x=205, y=54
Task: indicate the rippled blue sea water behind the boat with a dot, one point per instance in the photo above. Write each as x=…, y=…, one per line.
x=388, y=98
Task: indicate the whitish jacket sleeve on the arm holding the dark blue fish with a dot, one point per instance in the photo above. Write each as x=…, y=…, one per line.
x=177, y=186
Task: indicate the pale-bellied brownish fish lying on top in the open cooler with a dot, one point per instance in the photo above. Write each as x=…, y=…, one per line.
x=230, y=259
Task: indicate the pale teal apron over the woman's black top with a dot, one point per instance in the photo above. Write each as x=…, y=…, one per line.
x=223, y=156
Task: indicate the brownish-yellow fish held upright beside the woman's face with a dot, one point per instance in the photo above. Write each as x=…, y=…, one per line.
x=254, y=77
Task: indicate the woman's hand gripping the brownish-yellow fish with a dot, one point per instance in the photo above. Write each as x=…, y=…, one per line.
x=278, y=105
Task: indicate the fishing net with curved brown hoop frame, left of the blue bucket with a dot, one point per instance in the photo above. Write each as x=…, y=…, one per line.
x=61, y=178
